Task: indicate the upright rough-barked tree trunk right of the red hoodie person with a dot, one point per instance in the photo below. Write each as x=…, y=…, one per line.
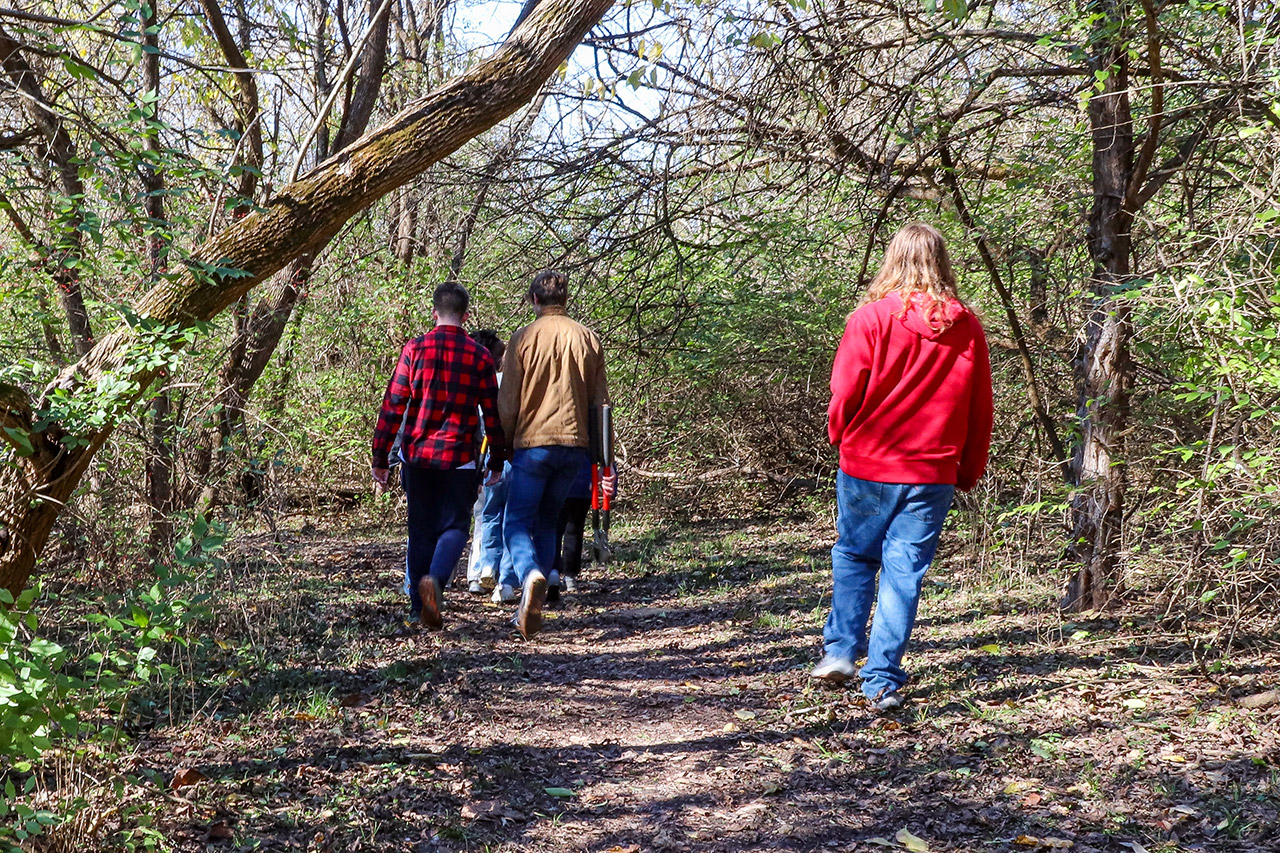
x=1104, y=370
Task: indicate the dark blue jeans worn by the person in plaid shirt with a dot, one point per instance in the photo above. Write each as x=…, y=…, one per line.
x=440, y=521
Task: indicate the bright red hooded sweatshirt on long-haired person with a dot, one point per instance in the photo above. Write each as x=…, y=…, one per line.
x=912, y=404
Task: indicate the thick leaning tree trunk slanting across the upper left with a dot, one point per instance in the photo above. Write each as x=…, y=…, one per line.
x=48, y=462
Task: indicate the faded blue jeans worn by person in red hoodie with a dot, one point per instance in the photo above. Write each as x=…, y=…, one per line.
x=894, y=531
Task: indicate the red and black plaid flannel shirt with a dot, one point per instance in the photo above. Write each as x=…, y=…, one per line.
x=444, y=381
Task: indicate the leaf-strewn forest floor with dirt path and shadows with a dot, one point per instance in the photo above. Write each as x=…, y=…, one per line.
x=668, y=708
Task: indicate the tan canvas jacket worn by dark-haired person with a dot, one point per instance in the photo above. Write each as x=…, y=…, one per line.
x=552, y=375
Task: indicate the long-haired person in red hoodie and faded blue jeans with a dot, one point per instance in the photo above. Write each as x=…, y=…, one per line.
x=912, y=414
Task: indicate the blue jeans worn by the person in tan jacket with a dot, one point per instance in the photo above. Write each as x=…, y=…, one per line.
x=541, y=481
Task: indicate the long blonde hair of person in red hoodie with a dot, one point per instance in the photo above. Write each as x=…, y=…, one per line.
x=917, y=263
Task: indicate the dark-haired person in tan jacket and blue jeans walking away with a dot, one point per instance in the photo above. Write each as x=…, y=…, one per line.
x=554, y=375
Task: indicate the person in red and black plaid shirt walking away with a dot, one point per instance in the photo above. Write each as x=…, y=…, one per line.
x=442, y=385
